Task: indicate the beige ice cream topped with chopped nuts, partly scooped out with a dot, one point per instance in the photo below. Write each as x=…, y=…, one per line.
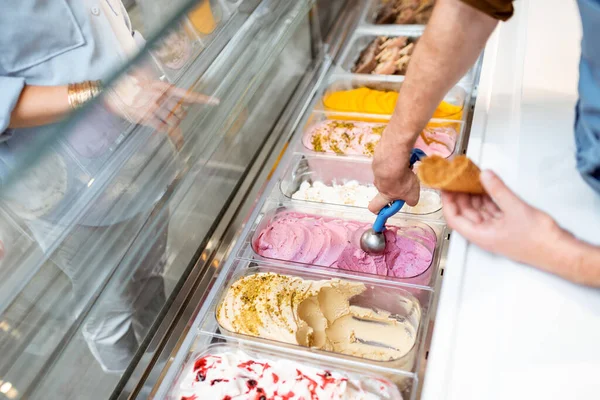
x=314, y=314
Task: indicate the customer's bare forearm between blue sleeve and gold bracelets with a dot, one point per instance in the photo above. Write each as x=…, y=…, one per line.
x=40, y=105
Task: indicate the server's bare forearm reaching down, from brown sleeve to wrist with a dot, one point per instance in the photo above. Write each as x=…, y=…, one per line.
x=450, y=45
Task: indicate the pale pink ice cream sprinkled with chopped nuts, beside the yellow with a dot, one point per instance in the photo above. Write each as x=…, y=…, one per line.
x=360, y=138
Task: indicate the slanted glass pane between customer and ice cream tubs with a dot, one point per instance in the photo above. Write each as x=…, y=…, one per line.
x=117, y=201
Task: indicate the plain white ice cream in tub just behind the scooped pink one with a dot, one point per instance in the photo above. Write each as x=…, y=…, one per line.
x=352, y=193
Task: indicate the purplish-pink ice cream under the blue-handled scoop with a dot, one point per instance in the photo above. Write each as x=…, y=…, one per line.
x=329, y=242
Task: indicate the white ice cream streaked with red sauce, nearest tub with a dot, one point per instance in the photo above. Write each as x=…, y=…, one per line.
x=234, y=375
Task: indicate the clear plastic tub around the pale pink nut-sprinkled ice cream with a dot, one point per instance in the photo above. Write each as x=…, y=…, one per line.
x=448, y=148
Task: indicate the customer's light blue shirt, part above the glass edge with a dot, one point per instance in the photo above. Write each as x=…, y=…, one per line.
x=53, y=42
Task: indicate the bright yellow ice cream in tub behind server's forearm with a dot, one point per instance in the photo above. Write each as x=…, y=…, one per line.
x=371, y=101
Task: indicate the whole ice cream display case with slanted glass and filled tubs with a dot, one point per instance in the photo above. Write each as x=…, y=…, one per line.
x=219, y=259
